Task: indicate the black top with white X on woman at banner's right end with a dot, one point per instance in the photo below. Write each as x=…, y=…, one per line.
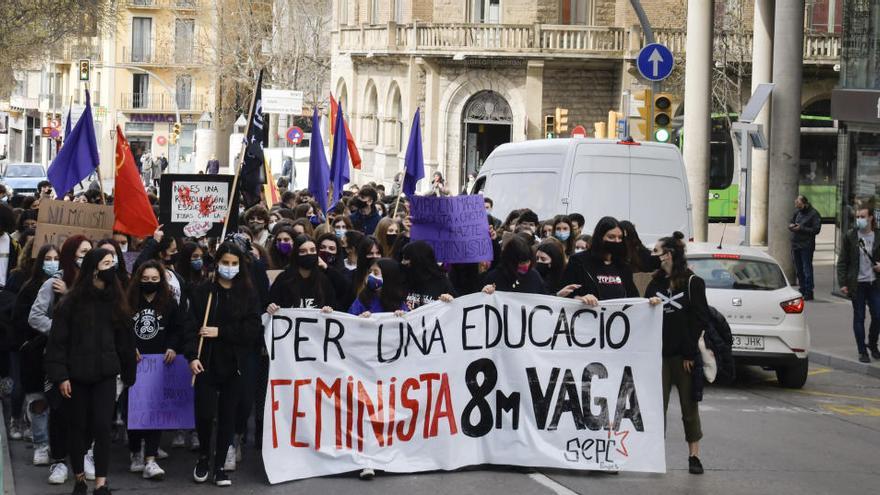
x=685, y=315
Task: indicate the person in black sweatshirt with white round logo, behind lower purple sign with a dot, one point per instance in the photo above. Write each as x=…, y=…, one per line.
x=159, y=326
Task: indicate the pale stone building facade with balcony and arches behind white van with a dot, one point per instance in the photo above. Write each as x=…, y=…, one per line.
x=486, y=72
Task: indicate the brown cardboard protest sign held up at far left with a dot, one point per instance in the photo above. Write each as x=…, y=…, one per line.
x=58, y=220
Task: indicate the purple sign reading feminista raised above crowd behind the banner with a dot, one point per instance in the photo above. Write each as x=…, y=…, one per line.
x=456, y=227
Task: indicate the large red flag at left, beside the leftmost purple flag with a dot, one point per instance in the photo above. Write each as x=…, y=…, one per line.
x=132, y=209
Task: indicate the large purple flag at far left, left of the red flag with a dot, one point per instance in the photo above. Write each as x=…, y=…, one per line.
x=78, y=158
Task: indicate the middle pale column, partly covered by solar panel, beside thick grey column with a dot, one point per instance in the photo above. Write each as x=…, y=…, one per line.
x=762, y=72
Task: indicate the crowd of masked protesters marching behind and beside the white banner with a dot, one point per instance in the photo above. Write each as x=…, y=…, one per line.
x=80, y=318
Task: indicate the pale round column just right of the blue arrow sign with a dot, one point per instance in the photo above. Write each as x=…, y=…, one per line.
x=698, y=107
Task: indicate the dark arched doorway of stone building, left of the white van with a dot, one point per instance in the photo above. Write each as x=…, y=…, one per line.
x=487, y=123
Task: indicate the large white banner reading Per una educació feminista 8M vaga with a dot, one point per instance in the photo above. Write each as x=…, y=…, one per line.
x=514, y=379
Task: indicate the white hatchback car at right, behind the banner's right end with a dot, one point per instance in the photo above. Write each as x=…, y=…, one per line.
x=765, y=314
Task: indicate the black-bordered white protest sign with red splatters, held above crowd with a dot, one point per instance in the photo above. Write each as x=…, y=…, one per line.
x=194, y=205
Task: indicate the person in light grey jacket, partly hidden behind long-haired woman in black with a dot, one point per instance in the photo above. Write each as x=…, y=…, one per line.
x=73, y=252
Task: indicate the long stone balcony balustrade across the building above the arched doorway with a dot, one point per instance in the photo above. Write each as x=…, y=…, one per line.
x=543, y=40
